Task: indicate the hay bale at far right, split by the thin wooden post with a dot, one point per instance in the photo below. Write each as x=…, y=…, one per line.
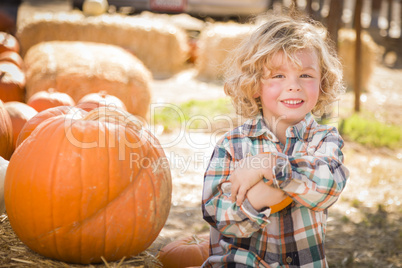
x=346, y=51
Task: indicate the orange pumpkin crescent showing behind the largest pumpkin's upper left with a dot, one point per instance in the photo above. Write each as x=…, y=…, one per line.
x=32, y=123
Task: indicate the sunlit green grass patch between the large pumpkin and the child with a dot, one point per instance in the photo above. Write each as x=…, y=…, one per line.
x=194, y=114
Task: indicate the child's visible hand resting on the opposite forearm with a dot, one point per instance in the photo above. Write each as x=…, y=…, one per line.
x=250, y=170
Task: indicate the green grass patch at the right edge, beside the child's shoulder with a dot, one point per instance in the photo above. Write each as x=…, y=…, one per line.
x=371, y=132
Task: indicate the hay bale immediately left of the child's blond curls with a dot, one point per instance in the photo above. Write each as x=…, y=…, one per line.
x=214, y=44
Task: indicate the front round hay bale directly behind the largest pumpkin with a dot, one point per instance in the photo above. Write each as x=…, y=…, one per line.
x=80, y=68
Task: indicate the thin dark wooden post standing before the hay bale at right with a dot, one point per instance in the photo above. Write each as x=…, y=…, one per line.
x=357, y=75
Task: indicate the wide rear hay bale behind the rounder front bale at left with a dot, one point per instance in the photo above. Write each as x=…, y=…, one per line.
x=160, y=45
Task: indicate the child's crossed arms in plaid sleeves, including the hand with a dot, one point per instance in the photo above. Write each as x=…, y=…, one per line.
x=314, y=181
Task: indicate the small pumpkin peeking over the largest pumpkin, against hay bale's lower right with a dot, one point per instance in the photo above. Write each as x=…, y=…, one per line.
x=100, y=99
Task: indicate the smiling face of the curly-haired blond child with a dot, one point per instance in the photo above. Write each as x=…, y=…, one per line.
x=288, y=91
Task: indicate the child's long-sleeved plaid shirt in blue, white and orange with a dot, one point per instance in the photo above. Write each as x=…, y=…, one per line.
x=309, y=168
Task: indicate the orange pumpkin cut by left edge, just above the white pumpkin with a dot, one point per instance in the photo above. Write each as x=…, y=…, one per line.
x=6, y=133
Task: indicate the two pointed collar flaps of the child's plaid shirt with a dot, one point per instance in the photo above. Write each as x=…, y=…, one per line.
x=257, y=127
